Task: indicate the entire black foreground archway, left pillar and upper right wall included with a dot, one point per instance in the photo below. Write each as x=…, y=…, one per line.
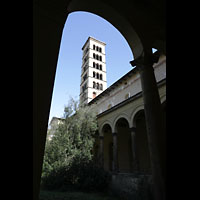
x=49, y=18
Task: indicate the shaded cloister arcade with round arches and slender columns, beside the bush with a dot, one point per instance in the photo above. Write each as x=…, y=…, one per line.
x=123, y=140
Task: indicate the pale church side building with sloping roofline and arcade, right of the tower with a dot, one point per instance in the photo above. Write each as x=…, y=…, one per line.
x=118, y=108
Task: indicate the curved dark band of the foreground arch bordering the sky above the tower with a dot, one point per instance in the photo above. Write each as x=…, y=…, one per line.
x=112, y=16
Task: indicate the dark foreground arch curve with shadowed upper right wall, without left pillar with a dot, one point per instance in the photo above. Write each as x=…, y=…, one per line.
x=140, y=29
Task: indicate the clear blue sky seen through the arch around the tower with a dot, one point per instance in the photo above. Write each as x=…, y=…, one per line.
x=78, y=27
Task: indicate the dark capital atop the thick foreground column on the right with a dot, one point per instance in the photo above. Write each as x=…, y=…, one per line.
x=145, y=60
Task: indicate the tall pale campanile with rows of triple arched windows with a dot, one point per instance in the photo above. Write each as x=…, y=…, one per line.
x=93, y=70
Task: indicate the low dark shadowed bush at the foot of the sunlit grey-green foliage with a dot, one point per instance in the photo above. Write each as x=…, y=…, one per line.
x=82, y=175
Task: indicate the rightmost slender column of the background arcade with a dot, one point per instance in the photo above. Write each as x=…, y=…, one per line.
x=133, y=147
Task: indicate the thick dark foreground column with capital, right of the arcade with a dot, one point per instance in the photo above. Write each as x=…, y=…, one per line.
x=153, y=115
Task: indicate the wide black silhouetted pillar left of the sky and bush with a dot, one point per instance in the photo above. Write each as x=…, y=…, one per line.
x=47, y=31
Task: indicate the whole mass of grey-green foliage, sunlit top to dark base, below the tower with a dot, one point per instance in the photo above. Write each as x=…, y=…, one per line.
x=68, y=160
